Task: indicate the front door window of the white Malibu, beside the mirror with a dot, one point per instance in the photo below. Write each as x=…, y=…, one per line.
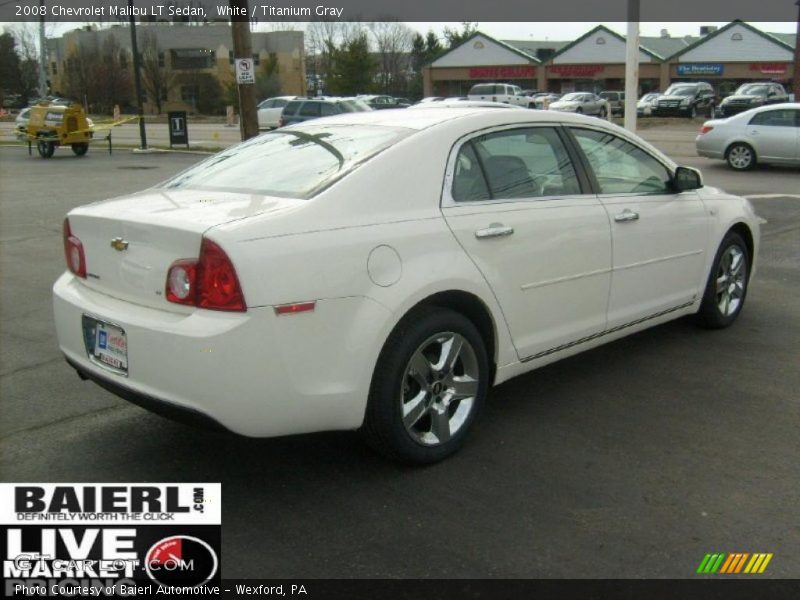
x=620, y=167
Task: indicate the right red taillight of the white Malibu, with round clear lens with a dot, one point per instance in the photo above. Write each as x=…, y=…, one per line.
x=207, y=282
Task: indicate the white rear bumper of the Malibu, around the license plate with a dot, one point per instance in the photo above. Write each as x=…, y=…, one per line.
x=254, y=373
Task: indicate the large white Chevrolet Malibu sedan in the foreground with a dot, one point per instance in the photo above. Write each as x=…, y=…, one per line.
x=380, y=271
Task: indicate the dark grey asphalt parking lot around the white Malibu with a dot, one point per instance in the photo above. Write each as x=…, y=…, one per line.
x=632, y=460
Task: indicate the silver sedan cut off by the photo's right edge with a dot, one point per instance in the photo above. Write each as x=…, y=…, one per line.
x=766, y=135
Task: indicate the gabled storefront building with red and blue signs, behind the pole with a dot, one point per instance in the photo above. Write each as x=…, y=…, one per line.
x=594, y=62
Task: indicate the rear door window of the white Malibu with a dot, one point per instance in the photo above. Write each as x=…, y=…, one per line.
x=514, y=164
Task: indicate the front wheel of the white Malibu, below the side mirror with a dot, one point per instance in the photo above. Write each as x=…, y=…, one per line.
x=726, y=288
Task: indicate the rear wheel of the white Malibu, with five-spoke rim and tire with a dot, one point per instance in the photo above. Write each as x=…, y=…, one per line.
x=429, y=384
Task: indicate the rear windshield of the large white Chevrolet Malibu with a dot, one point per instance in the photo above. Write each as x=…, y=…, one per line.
x=296, y=162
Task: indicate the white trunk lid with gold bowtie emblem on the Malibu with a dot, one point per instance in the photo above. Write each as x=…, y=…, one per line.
x=131, y=242
